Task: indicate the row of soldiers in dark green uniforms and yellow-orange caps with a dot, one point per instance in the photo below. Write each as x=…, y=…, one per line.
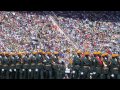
x=46, y=65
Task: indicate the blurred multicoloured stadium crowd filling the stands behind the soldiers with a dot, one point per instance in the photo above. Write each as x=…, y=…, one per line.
x=87, y=30
